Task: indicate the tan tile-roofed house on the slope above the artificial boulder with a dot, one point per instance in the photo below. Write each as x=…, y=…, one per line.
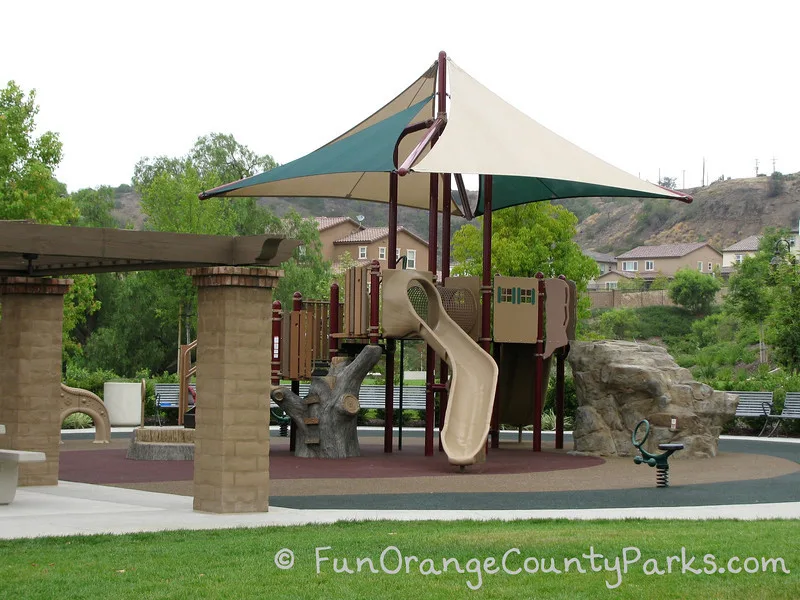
x=649, y=262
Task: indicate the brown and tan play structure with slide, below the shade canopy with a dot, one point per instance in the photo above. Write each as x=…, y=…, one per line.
x=381, y=307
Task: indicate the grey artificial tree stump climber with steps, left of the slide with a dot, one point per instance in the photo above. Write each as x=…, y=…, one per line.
x=326, y=419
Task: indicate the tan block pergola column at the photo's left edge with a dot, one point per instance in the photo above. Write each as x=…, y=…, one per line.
x=30, y=371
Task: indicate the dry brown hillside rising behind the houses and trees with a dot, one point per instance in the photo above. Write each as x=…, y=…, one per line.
x=722, y=213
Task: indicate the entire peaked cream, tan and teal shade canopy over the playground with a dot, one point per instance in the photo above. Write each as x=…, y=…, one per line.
x=484, y=135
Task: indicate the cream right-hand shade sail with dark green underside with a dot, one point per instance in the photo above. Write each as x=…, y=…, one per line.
x=487, y=136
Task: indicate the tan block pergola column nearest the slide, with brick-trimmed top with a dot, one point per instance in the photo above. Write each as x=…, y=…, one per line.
x=234, y=350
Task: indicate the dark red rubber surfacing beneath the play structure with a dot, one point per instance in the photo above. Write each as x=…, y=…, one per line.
x=111, y=466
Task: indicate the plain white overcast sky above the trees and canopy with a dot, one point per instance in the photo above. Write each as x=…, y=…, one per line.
x=643, y=85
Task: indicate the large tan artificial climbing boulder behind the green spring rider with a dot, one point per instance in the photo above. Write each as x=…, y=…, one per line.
x=620, y=383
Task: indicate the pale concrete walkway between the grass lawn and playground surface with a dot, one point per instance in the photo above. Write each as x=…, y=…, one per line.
x=82, y=509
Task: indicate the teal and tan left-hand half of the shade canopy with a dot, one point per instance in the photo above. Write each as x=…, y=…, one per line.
x=356, y=165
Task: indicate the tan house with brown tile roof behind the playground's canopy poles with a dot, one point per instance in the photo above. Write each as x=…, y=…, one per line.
x=340, y=235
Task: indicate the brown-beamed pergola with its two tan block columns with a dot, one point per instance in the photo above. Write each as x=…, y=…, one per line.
x=234, y=276
